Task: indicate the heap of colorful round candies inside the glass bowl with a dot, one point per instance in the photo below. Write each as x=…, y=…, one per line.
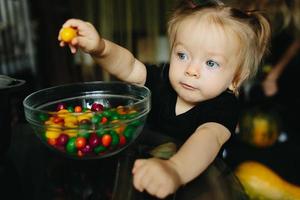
x=82, y=132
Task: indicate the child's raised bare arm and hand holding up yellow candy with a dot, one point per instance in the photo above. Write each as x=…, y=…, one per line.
x=113, y=58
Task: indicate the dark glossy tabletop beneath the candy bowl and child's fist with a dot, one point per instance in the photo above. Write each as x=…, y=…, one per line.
x=29, y=170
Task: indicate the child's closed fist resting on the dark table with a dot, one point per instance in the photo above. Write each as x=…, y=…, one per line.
x=158, y=177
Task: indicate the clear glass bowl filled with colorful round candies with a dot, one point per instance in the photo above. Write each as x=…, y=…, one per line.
x=88, y=120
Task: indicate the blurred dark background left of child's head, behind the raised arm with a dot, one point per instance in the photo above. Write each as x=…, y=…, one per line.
x=29, y=30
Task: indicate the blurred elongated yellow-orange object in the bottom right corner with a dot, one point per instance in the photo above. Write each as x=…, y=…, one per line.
x=261, y=182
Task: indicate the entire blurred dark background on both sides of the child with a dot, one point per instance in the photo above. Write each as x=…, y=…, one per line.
x=268, y=130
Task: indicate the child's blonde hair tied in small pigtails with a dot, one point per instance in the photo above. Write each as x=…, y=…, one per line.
x=252, y=30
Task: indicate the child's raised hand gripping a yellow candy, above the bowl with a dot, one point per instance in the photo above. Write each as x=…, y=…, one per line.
x=87, y=37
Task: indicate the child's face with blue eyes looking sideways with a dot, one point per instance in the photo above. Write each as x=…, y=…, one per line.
x=203, y=61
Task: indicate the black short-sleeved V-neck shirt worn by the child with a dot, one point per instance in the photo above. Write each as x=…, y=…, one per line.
x=222, y=109
